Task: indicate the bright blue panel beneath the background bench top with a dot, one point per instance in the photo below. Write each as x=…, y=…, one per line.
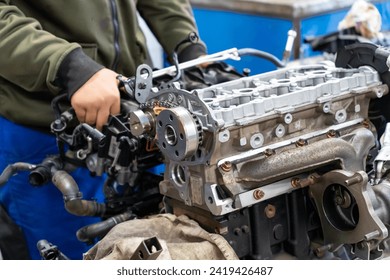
x=224, y=30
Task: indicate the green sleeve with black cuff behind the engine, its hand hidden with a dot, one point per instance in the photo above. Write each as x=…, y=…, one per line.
x=171, y=22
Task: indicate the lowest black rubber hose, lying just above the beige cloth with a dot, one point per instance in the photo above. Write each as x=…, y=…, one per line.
x=100, y=229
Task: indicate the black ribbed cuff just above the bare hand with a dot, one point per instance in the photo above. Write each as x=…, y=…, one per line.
x=75, y=70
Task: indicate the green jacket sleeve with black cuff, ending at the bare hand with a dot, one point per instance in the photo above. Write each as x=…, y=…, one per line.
x=33, y=58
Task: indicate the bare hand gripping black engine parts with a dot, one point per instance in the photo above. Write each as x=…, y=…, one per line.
x=97, y=98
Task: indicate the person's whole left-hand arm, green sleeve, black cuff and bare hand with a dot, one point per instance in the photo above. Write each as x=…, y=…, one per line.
x=43, y=64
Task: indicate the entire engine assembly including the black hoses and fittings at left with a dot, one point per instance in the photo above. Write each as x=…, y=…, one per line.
x=284, y=165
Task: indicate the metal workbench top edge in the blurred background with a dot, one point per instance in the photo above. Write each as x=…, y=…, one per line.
x=290, y=9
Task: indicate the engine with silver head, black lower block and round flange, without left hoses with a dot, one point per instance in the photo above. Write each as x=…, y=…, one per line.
x=250, y=157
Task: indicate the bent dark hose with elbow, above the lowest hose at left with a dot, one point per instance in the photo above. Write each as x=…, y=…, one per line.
x=74, y=203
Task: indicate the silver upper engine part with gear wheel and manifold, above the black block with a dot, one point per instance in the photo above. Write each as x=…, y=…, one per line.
x=251, y=132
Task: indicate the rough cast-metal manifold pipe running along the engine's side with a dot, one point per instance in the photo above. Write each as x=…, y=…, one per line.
x=351, y=154
